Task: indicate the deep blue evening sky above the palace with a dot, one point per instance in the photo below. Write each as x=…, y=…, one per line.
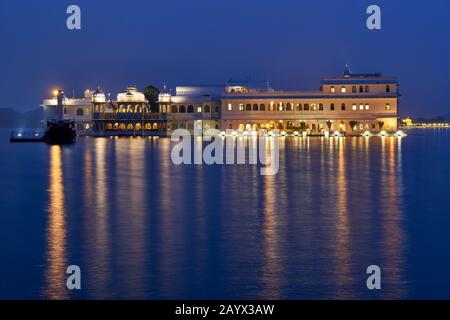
x=291, y=43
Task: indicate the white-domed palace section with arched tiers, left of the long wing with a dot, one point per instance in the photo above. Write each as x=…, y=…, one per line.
x=129, y=115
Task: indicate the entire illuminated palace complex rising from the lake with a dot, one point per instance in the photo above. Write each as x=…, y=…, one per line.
x=350, y=104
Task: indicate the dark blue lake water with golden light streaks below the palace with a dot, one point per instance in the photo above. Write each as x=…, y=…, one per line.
x=141, y=227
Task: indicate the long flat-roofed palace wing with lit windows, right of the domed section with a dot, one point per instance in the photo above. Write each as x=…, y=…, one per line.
x=350, y=103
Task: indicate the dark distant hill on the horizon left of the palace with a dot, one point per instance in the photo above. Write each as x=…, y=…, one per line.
x=10, y=118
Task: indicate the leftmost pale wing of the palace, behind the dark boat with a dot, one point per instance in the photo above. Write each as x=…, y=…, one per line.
x=77, y=109
